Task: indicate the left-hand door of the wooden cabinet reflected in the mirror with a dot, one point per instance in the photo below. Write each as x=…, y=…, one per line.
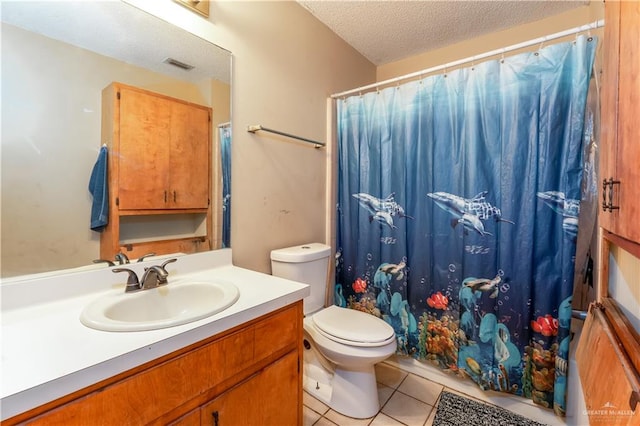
x=142, y=152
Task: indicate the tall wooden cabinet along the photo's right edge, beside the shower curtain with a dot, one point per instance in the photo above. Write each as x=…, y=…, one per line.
x=608, y=354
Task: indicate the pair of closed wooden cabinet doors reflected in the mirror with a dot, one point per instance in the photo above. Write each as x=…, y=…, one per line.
x=164, y=152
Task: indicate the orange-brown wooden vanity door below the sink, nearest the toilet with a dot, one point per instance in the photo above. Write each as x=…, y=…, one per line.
x=271, y=397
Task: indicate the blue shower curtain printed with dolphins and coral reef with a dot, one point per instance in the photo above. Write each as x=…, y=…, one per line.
x=458, y=199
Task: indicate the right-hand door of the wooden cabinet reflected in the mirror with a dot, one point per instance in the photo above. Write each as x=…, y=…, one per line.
x=190, y=156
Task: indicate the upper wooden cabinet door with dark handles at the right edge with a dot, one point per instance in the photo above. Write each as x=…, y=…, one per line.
x=620, y=148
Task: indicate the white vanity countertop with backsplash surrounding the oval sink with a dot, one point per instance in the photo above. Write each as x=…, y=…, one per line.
x=47, y=353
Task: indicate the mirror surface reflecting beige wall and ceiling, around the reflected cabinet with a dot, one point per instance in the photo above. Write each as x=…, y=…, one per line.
x=56, y=59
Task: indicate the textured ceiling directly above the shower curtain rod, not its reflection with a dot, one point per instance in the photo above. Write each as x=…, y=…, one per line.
x=387, y=31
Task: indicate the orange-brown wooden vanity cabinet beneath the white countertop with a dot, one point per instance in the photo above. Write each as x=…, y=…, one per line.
x=250, y=375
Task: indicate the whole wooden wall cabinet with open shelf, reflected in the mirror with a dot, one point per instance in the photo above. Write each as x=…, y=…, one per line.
x=160, y=163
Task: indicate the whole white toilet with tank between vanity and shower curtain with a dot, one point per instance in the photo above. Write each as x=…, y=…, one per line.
x=341, y=345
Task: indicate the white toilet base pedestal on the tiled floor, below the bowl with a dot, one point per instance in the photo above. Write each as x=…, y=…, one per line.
x=353, y=393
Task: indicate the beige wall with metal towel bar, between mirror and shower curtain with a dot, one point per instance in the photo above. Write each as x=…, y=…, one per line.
x=285, y=65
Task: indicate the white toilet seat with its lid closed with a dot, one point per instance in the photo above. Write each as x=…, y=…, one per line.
x=353, y=328
